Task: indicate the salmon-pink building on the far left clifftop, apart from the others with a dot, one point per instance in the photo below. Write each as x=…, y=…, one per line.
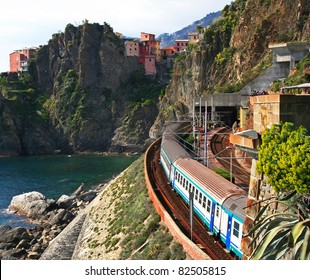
x=19, y=59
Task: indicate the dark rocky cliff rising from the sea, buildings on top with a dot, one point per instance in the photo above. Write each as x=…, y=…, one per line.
x=84, y=87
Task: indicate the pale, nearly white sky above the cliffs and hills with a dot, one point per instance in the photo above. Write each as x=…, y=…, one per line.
x=25, y=24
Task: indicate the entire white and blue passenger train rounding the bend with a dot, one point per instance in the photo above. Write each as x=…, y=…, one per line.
x=219, y=204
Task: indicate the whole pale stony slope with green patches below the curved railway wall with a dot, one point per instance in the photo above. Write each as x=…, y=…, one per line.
x=123, y=224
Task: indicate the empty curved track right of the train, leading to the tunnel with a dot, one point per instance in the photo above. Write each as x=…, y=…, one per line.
x=218, y=145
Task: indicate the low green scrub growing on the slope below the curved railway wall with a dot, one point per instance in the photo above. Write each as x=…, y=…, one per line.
x=134, y=226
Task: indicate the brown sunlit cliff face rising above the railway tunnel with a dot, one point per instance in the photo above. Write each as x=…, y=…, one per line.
x=234, y=51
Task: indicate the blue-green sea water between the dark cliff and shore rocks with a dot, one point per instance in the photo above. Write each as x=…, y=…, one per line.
x=53, y=176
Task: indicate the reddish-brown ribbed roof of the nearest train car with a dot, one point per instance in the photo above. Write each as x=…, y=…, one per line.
x=214, y=184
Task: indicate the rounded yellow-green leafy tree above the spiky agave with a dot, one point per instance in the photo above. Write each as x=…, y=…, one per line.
x=284, y=157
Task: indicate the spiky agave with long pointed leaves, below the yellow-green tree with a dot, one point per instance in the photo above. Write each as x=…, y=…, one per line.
x=285, y=234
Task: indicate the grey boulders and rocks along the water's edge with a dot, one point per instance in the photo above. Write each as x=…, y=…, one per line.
x=49, y=217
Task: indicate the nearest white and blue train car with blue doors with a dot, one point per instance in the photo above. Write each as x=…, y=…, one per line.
x=217, y=202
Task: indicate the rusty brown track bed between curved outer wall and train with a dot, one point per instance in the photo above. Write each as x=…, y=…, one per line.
x=180, y=211
